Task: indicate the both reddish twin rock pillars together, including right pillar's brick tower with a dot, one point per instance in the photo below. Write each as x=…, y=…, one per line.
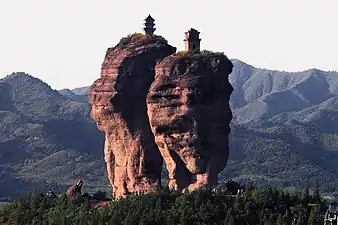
x=153, y=104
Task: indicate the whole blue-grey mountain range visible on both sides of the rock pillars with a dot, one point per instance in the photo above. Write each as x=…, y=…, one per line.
x=284, y=132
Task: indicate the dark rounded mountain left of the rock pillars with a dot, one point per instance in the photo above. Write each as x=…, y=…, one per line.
x=44, y=138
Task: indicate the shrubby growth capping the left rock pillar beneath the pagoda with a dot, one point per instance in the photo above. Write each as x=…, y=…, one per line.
x=141, y=39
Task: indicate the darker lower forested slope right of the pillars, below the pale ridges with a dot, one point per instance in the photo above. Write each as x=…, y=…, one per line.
x=283, y=156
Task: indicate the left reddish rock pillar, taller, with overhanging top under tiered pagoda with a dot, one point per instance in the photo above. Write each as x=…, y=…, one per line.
x=118, y=101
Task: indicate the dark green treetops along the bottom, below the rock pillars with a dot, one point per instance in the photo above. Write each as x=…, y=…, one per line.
x=265, y=207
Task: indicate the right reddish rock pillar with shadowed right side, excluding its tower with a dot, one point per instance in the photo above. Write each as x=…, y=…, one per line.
x=189, y=113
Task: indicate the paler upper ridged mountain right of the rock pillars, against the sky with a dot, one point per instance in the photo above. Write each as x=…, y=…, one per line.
x=262, y=94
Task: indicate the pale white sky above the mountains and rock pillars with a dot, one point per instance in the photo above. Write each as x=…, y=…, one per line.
x=63, y=42
